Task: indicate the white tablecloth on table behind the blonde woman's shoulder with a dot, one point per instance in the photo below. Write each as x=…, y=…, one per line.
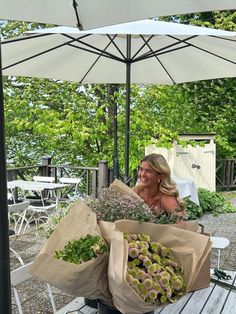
x=187, y=188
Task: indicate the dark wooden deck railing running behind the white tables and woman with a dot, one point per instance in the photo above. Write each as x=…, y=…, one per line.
x=95, y=178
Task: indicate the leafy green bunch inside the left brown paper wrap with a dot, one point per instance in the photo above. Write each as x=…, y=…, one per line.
x=82, y=250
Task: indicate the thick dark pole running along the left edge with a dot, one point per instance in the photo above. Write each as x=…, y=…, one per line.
x=5, y=286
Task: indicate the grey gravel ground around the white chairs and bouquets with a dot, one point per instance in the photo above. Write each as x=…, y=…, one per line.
x=34, y=295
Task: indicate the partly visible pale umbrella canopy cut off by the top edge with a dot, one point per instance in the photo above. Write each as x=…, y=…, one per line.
x=90, y=14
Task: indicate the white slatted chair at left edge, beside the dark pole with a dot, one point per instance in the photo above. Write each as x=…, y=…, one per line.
x=17, y=219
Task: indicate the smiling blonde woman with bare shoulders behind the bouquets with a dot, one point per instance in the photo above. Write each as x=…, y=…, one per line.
x=156, y=188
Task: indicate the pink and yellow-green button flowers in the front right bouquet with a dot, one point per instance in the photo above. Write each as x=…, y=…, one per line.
x=151, y=272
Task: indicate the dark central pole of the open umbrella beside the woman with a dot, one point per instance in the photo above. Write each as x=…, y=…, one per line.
x=127, y=111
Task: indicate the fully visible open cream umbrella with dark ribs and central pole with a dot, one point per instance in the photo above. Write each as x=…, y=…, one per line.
x=148, y=51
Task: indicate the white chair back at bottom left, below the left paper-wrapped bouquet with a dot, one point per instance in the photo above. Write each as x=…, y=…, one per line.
x=21, y=275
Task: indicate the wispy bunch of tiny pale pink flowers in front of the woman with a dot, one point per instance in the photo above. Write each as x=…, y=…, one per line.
x=112, y=205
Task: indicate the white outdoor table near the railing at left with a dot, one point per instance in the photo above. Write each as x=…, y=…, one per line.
x=36, y=186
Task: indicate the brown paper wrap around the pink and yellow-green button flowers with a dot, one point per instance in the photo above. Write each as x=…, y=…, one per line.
x=188, y=249
